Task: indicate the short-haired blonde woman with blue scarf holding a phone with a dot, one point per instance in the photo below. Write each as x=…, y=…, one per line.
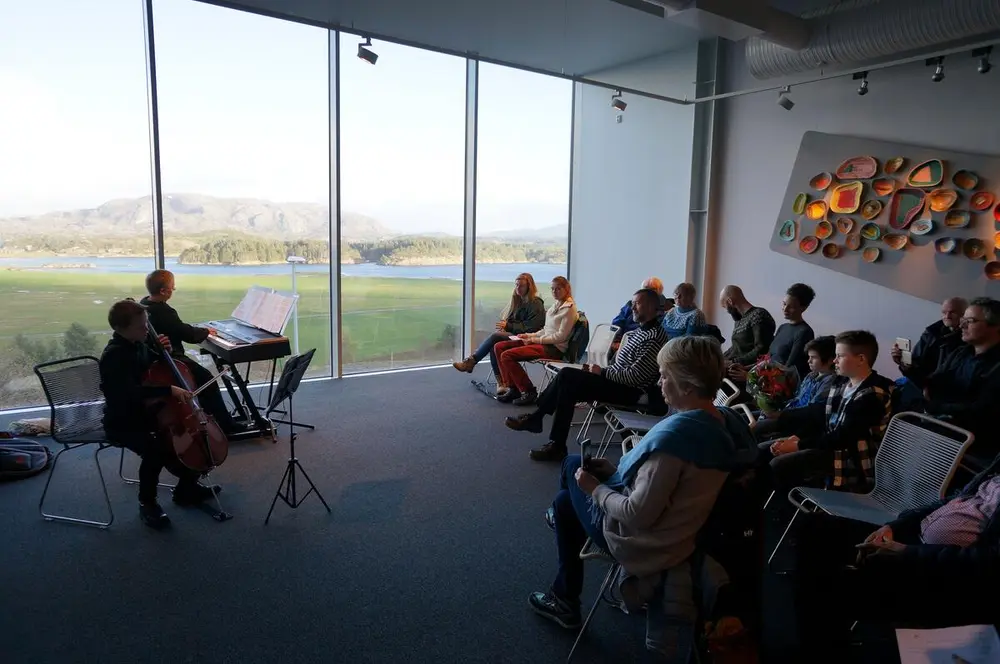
x=647, y=512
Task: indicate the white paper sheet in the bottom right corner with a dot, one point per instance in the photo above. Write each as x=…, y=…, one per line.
x=976, y=644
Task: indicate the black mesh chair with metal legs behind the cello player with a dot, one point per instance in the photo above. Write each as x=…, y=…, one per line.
x=76, y=404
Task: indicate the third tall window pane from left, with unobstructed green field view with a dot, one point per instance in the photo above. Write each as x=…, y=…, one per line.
x=402, y=150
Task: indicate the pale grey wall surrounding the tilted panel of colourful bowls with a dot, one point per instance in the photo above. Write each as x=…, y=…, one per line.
x=759, y=141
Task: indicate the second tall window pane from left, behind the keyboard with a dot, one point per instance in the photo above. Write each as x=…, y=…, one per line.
x=244, y=136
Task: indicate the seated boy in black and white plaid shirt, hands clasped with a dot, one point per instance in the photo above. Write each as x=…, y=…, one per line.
x=838, y=438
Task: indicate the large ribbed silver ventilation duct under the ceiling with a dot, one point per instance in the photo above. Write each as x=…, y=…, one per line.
x=874, y=30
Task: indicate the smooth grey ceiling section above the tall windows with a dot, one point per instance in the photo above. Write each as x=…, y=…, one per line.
x=571, y=37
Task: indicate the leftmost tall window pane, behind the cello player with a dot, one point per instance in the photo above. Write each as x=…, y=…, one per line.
x=75, y=212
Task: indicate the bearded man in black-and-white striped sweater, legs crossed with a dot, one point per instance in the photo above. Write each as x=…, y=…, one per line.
x=624, y=382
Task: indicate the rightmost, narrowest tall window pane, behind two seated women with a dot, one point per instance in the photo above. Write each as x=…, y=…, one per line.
x=522, y=197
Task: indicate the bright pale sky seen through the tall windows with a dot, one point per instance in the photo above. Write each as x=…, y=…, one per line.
x=243, y=108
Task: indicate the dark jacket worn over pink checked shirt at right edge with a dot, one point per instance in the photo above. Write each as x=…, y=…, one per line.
x=981, y=559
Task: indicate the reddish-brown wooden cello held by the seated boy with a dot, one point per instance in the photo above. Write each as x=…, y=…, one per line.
x=191, y=435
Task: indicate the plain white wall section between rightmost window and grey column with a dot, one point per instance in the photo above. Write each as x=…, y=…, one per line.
x=631, y=184
